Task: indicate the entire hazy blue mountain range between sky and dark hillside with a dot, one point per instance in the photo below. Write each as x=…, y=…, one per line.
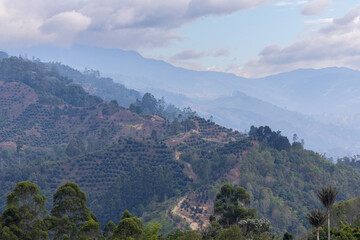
x=321, y=106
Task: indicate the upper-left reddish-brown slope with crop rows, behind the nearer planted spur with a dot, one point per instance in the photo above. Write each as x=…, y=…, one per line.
x=41, y=108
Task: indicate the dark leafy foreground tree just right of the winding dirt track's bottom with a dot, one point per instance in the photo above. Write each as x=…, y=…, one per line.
x=230, y=205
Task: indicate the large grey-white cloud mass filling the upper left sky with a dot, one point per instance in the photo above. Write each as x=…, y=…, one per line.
x=109, y=23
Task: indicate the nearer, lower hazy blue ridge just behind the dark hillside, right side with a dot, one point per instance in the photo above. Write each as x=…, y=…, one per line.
x=240, y=111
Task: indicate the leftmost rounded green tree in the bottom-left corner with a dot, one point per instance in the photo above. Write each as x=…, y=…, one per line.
x=24, y=212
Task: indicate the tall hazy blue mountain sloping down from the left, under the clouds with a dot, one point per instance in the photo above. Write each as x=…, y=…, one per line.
x=138, y=72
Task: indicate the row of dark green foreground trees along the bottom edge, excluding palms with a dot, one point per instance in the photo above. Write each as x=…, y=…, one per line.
x=25, y=217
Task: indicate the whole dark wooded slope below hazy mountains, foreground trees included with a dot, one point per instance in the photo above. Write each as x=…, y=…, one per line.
x=166, y=167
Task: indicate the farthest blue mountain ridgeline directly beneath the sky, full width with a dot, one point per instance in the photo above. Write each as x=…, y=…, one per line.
x=308, y=91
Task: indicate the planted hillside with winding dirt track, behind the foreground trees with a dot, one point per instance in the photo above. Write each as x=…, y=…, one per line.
x=53, y=131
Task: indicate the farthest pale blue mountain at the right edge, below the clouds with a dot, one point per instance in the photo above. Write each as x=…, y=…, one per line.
x=310, y=91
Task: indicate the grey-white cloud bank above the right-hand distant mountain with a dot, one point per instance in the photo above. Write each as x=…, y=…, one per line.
x=334, y=44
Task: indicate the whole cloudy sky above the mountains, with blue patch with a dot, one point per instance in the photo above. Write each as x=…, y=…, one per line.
x=250, y=38
